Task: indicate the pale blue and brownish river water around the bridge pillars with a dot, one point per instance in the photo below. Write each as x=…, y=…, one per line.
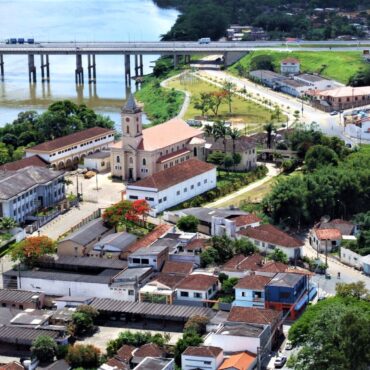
x=70, y=20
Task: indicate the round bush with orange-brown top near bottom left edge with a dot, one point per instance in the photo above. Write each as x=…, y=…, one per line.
x=86, y=356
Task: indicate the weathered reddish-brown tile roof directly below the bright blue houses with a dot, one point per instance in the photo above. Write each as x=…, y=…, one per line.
x=252, y=315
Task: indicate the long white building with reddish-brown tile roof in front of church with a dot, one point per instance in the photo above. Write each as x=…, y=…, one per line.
x=174, y=185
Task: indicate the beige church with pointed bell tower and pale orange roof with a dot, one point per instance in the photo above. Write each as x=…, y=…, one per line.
x=144, y=152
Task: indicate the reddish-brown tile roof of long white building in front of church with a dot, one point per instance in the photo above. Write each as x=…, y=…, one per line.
x=174, y=175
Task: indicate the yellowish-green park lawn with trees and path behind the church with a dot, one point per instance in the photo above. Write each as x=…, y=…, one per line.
x=243, y=110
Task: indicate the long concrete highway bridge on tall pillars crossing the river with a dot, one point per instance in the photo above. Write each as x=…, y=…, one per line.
x=231, y=52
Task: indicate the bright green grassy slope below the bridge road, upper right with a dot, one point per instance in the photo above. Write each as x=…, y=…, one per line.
x=337, y=65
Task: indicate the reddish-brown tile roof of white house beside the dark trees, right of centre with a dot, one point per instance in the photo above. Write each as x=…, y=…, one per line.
x=271, y=234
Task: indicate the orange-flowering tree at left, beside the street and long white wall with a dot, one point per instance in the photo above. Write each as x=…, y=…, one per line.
x=30, y=249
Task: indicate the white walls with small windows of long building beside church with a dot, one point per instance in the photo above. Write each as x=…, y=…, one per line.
x=161, y=200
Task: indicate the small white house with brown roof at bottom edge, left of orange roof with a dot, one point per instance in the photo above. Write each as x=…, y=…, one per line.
x=202, y=357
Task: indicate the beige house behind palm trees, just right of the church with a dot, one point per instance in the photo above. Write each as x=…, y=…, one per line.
x=244, y=146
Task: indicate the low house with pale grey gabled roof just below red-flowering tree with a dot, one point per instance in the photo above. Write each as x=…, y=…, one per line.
x=112, y=245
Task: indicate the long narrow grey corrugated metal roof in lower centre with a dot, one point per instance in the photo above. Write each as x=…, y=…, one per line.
x=151, y=310
